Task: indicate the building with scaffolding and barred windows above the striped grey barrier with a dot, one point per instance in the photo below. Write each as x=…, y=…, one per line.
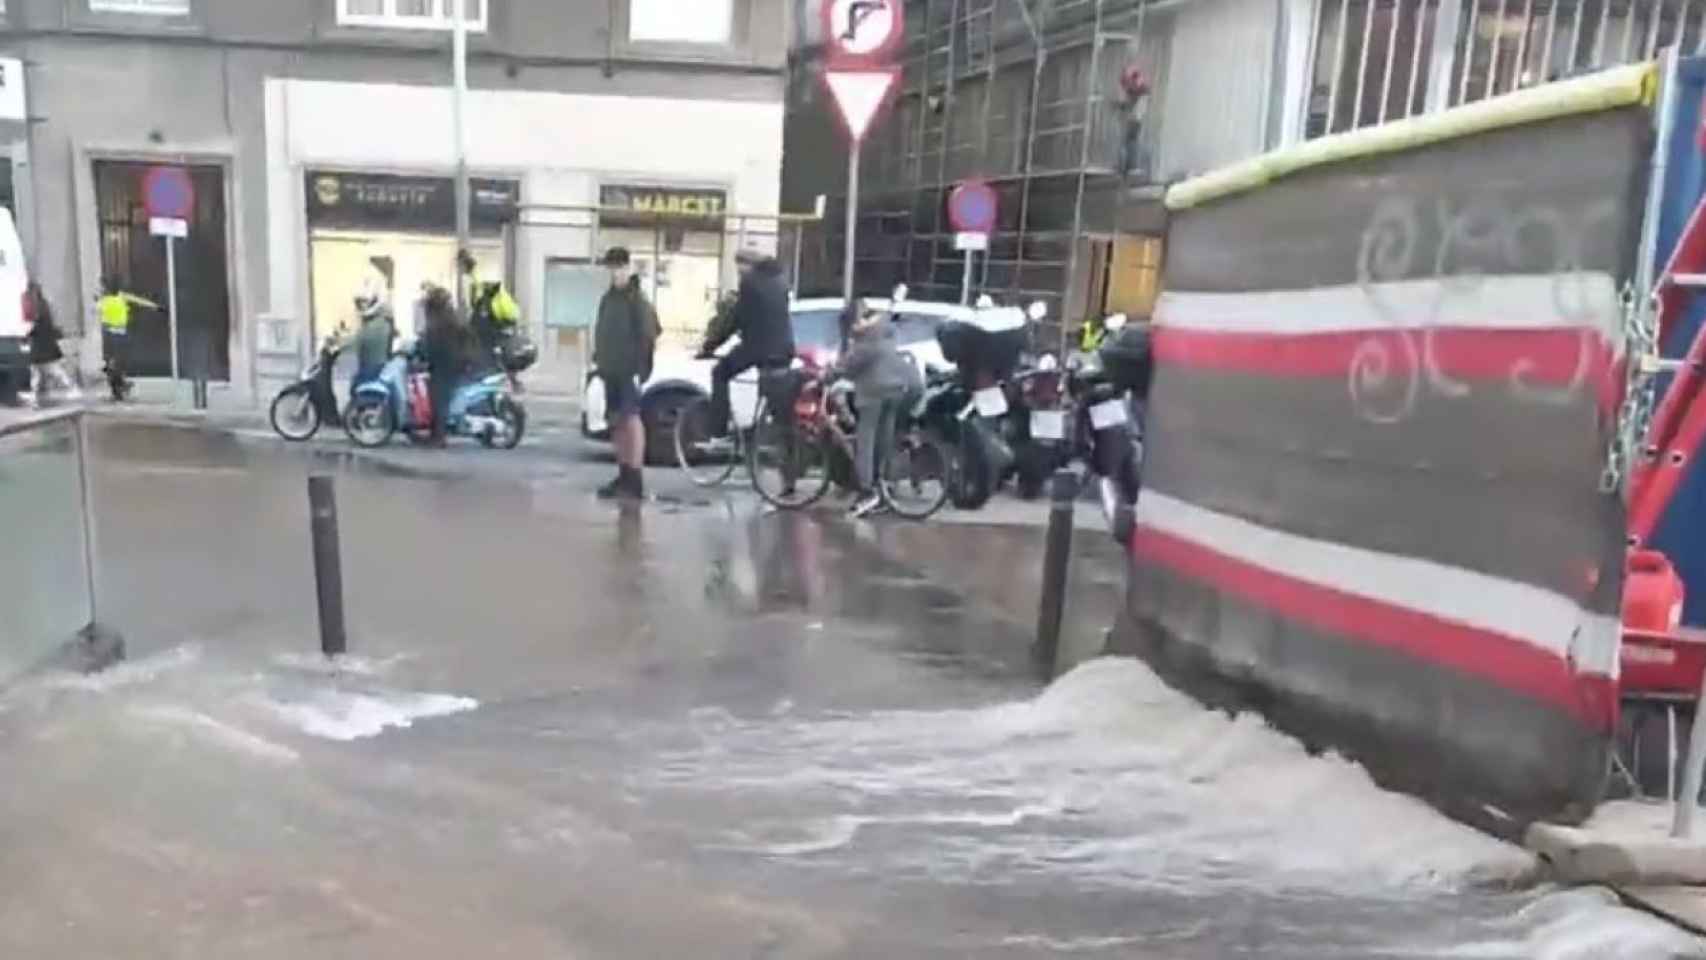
x=1038, y=100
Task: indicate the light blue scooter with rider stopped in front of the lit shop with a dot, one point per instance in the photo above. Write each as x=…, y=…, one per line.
x=484, y=408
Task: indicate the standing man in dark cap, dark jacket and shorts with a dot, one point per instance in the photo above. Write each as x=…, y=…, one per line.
x=624, y=347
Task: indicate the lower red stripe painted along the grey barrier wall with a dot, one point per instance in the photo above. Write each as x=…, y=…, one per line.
x=1494, y=657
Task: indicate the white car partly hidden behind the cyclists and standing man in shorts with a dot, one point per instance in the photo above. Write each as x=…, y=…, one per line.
x=680, y=378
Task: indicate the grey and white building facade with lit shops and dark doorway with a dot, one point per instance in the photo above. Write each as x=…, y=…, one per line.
x=320, y=142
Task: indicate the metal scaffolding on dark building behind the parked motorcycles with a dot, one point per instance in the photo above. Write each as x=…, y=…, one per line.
x=1023, y=95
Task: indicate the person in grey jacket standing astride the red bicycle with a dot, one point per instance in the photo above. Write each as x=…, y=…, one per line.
x=883, y=381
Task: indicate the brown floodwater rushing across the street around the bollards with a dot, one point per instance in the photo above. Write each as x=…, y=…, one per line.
x=572, y=731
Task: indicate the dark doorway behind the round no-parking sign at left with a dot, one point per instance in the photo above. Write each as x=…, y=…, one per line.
x=136, y=260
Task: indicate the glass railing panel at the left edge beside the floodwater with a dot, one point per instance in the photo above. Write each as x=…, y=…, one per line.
x=47, y=541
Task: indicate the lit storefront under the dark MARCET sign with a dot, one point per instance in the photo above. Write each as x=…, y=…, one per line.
x=680, y=246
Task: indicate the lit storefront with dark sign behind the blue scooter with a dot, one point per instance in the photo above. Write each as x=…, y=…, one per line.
x=393, y=234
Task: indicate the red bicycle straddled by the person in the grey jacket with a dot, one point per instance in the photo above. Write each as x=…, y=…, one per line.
x=789, y=456
